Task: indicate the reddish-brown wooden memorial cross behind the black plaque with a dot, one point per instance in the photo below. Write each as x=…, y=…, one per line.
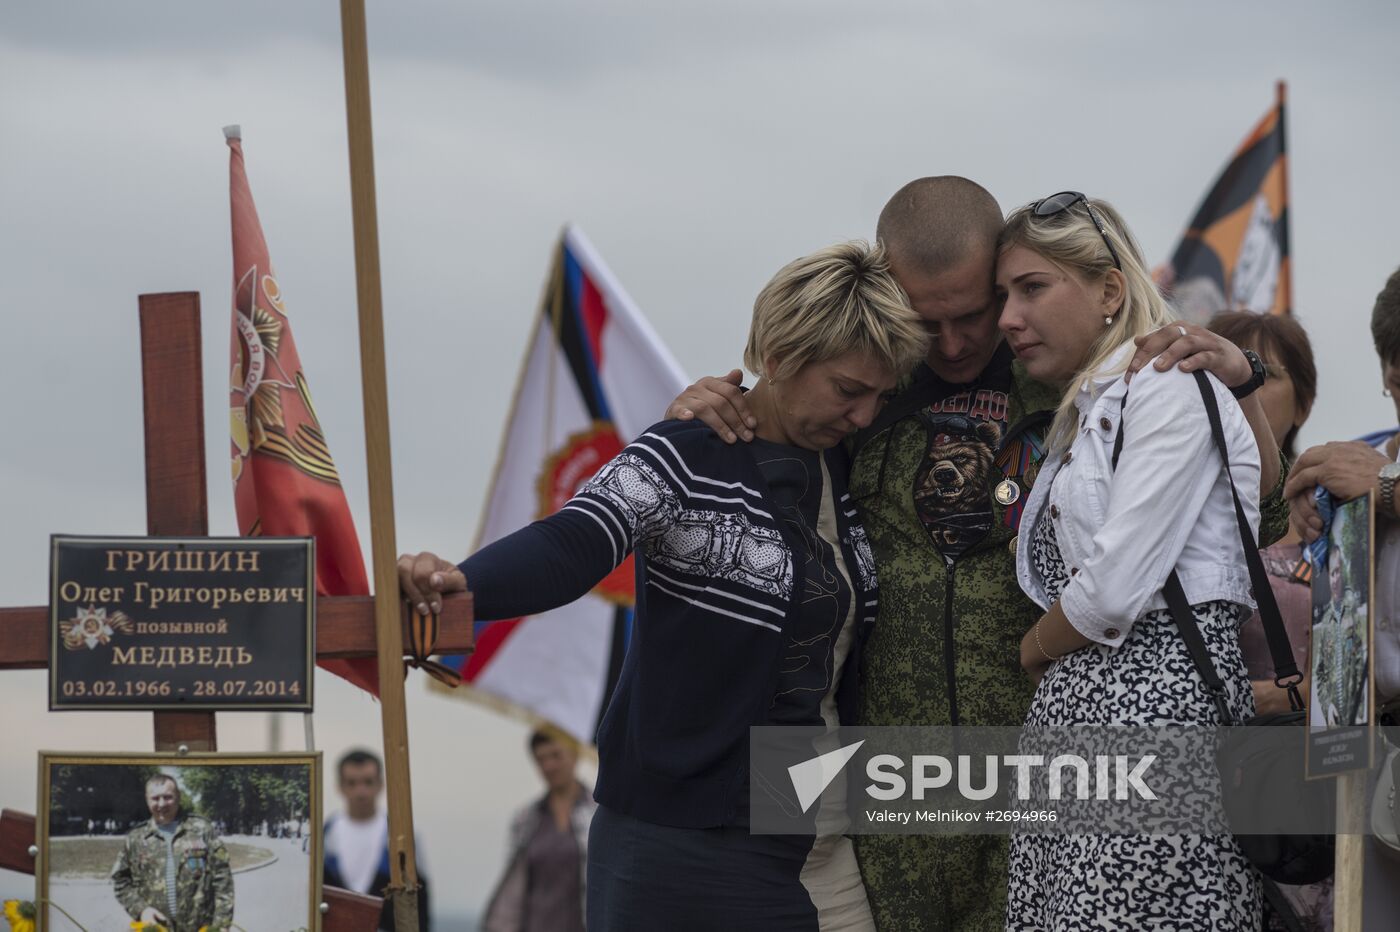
x=176, y=506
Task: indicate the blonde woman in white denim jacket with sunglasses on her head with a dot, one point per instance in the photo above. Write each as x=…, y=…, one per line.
x=1095, y=548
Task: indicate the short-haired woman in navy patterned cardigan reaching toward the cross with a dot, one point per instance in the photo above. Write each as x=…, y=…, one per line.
x=755, y=594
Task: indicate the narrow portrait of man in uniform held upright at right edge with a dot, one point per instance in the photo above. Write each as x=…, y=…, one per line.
x=1342, y=707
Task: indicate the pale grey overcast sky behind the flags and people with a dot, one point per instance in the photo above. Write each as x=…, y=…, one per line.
x=701, y=148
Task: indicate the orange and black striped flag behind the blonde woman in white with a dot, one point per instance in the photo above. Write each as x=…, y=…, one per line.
x=1235, y=253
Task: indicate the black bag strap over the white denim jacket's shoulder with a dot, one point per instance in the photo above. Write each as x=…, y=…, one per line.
x=1286, y=671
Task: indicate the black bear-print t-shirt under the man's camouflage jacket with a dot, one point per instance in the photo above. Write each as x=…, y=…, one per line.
x=953, y=485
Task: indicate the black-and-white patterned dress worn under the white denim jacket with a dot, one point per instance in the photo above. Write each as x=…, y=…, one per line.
x=1069, y=882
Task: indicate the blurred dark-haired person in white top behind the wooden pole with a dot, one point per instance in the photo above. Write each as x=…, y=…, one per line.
x=358, y=842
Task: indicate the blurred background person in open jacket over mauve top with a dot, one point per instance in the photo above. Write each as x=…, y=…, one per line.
x=547, y=873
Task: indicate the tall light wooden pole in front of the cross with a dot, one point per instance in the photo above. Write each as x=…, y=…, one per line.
x=404, y=870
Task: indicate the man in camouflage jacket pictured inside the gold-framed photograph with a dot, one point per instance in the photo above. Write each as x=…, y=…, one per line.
x=174, y=870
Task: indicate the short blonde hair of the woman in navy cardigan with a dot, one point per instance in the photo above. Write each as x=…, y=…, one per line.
x=839, y=300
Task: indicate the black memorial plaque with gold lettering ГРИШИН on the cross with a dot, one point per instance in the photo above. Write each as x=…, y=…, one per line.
x=171, y=623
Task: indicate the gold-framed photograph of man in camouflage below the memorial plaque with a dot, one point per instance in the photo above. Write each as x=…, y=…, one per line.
x=184, y=843
